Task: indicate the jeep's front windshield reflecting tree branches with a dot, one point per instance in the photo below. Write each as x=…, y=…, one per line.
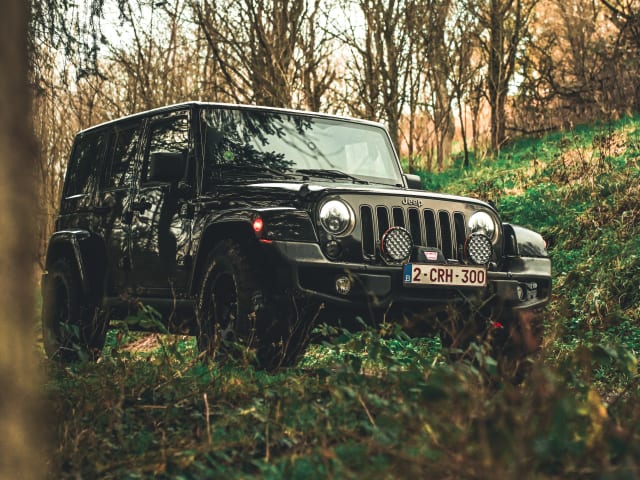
x=248, y=144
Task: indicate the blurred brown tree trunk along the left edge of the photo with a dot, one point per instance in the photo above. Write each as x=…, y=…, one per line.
x=20, y=452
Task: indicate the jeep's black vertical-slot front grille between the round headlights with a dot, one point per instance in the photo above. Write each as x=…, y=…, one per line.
x=430, y=228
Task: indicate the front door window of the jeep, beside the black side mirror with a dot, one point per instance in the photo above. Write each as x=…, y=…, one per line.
x=168, y=135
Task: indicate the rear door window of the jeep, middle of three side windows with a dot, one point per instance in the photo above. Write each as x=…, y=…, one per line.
x=120, y=169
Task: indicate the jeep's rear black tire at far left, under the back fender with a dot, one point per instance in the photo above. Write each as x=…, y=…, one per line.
x=72, y=328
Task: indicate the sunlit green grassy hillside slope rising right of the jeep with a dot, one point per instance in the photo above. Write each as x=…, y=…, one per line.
x=581, y=190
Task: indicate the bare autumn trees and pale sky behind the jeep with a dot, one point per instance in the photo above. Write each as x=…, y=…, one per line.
x=443, y=75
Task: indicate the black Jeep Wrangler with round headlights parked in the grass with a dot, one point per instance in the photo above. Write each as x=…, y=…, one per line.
x=239, y=224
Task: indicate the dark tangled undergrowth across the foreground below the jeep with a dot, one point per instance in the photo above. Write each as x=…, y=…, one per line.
x=351, y=410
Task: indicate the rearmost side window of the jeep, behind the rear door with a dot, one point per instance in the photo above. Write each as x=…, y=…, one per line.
x=82, y=170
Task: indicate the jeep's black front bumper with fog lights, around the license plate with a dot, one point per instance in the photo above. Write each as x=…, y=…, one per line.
x=521, y=283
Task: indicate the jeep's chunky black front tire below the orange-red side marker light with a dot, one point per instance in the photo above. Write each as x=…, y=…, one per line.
x=237, y=315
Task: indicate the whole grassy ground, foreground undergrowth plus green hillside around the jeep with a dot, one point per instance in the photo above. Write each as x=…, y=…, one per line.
x=382, y=405
